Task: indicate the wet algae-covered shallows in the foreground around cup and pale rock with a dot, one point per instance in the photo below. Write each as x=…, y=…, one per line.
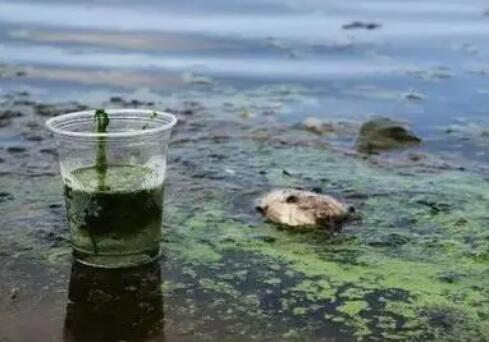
x=411, y=268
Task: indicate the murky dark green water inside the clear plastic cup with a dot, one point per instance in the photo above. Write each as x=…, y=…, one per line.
x=122, y=218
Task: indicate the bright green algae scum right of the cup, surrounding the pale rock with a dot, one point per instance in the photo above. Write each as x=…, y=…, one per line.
x=407, y=271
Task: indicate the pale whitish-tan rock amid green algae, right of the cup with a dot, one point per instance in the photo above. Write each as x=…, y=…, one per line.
x=303, y=209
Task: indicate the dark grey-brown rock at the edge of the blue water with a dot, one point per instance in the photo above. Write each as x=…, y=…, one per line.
x=384, y=134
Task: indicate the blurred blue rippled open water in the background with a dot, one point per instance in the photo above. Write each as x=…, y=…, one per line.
x=425, y=62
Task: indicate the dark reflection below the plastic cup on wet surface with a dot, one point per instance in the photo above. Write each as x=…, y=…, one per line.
x=106, y=305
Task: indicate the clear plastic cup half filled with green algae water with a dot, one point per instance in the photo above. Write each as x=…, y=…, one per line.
x=113, y=184
